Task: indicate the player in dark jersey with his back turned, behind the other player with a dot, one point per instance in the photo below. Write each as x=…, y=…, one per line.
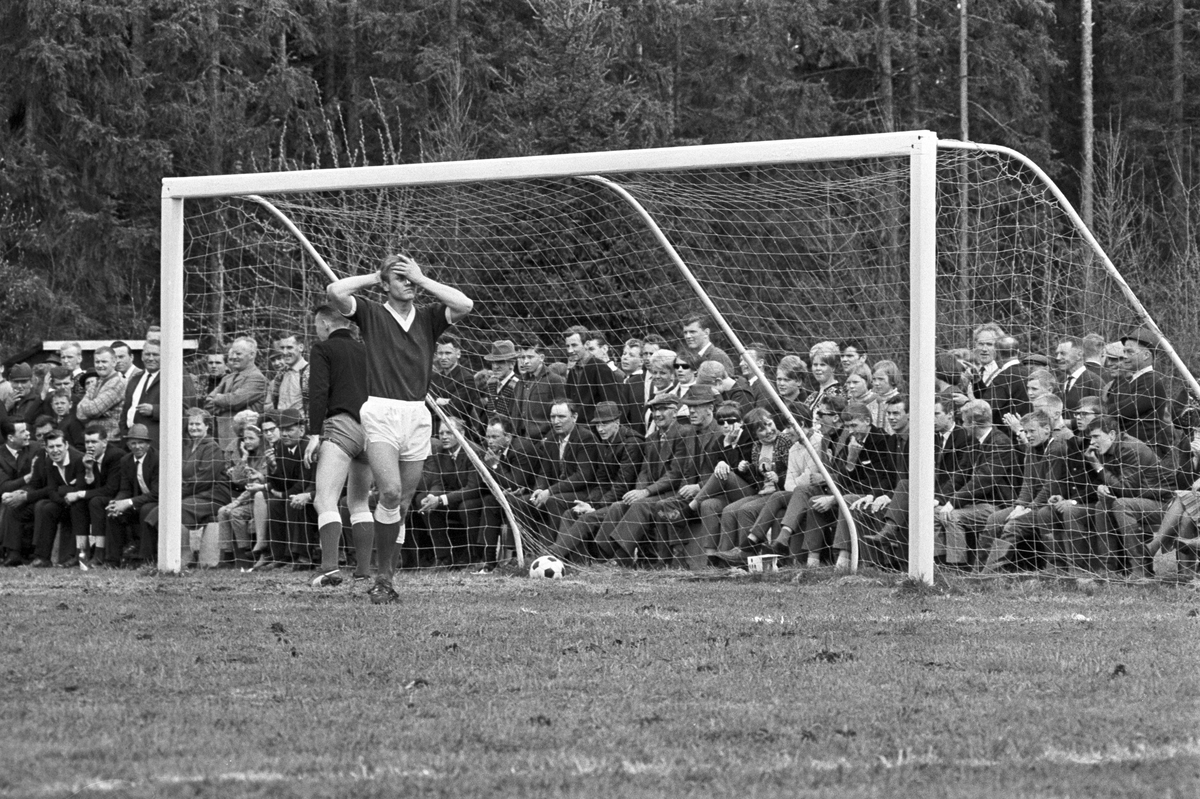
x=338, y=388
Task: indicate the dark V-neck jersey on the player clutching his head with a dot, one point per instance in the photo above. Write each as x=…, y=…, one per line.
x=399, y=362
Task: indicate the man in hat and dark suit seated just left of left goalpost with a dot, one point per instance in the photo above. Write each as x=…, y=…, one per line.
x=133, y=530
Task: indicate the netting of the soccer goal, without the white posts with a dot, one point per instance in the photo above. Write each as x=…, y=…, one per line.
x=790, y=255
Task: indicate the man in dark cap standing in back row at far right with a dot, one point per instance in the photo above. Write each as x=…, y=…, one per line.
x=1138, y=397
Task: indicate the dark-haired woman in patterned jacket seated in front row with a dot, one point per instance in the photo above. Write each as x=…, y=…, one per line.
x=769, y=465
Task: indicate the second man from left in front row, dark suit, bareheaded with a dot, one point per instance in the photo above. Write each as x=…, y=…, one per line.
x=62, y=472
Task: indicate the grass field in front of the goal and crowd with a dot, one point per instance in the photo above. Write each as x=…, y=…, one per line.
x=614, y=683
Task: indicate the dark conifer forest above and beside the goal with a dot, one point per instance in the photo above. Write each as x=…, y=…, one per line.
x=101, y=100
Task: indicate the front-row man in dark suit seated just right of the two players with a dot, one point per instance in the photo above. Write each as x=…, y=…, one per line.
x=452, y=501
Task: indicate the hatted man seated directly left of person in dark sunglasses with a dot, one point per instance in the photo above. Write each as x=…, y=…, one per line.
x=692, y=466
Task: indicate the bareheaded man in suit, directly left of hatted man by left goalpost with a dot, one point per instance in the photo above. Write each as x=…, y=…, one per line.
x=89, y=501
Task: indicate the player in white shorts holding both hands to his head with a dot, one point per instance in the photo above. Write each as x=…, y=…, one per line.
x=400, y=343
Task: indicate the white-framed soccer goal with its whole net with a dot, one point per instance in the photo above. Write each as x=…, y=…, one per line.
x=802, y=253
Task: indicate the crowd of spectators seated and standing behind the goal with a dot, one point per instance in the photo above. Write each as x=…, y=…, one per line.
x=1078, y=460
